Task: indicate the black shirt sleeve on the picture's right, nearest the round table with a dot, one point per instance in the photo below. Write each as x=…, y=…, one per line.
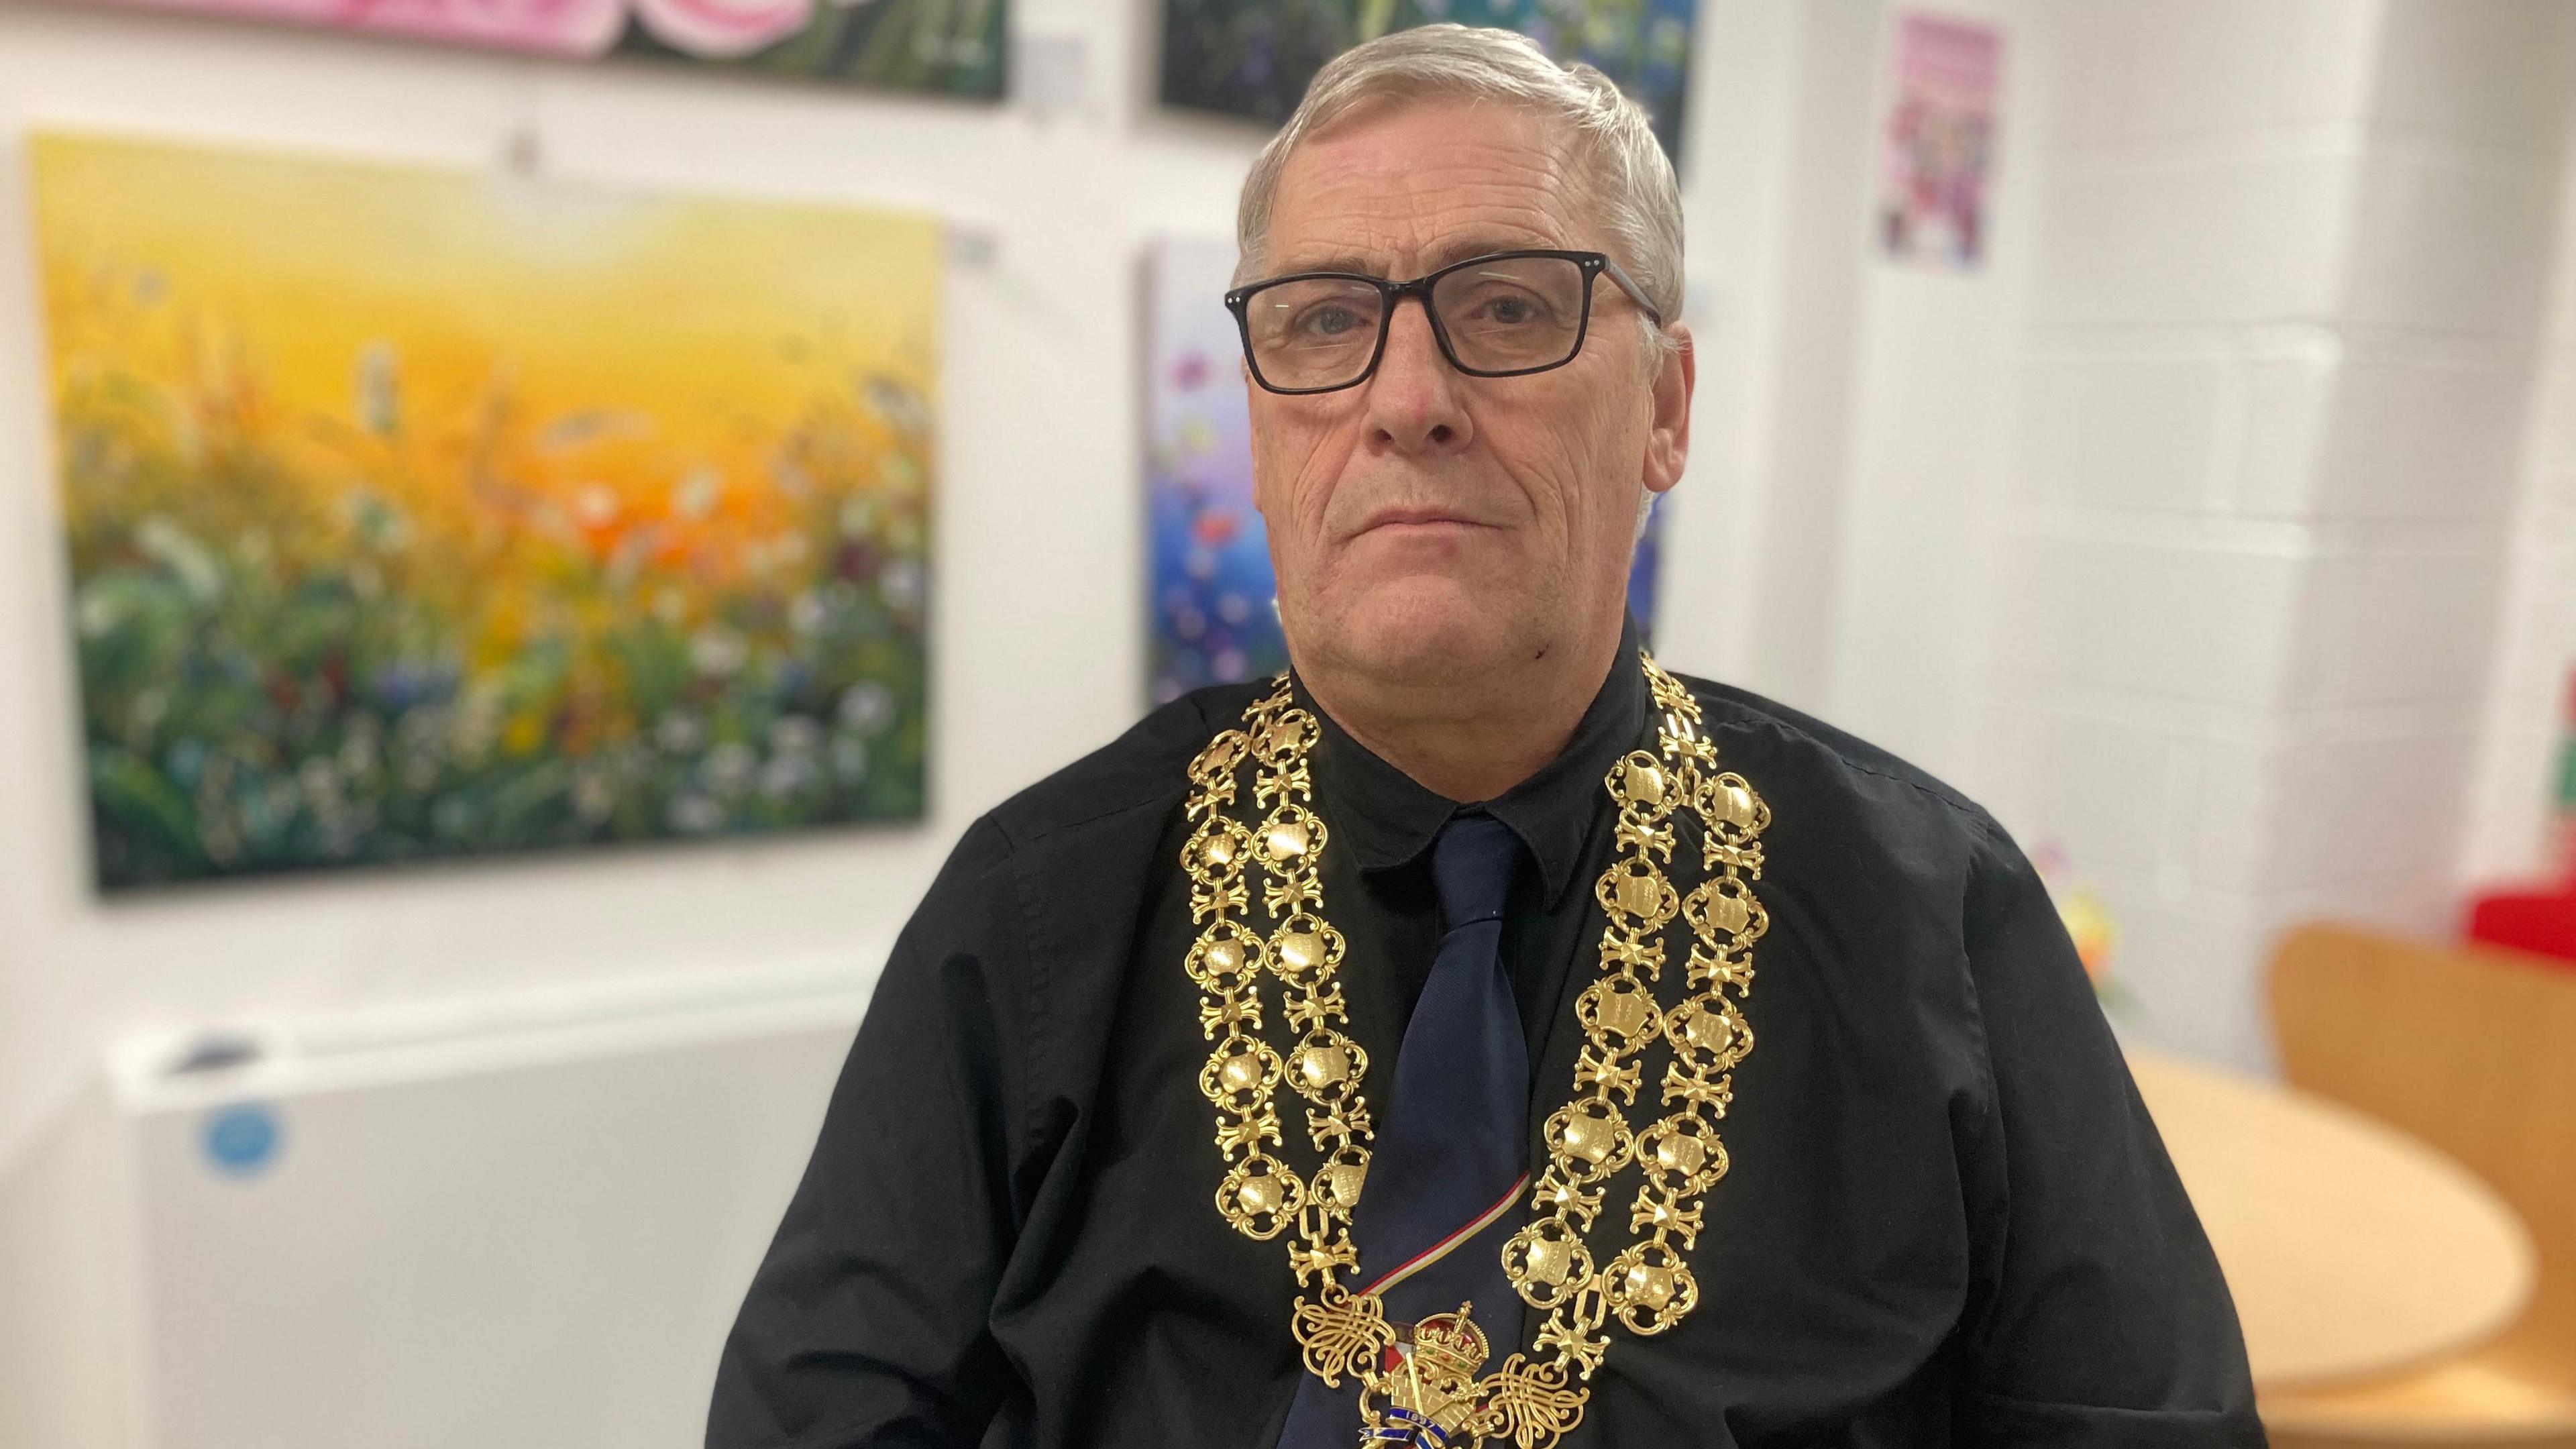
x=2098, y=1314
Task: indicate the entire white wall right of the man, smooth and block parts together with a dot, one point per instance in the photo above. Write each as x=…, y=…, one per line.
x=2175, y=535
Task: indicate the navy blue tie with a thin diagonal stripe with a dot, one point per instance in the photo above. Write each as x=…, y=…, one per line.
x=1449, y=1169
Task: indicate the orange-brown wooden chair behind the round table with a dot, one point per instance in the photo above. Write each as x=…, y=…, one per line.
x=2477, y=1053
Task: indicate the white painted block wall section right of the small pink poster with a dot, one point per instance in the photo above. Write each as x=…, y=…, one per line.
x=2278, y=352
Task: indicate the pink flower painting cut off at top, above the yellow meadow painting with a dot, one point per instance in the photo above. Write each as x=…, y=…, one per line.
x=916, y=45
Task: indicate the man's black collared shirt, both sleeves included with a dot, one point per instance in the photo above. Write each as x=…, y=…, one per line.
x=1949, y=1216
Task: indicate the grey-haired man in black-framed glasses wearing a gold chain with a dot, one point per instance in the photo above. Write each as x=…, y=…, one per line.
x=1369, y=1056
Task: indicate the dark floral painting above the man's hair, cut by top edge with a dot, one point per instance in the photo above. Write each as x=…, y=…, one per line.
x=1253, y=58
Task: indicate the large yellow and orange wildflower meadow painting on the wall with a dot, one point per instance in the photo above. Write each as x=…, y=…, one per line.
x=429, y=514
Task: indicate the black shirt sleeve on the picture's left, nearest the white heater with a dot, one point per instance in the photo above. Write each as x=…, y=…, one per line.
x=867, y=1324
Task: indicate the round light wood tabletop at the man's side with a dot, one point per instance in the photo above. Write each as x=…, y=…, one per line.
x=2351, y=1247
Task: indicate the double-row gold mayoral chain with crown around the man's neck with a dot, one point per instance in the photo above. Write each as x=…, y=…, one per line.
x=1647, y=1285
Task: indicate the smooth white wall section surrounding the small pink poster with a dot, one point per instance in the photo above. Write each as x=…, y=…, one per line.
x=1877, y=416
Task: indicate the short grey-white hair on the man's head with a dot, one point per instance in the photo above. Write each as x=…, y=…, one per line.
x=1614, y=151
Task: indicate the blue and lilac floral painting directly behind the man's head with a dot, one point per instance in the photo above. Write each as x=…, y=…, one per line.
x=1209, y=589
